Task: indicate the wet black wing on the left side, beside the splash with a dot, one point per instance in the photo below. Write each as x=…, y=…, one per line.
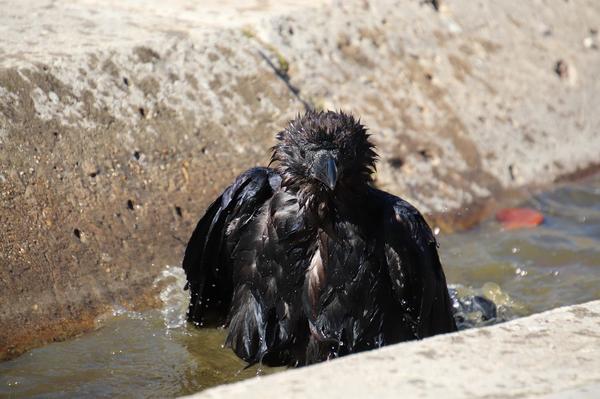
x=206, y=262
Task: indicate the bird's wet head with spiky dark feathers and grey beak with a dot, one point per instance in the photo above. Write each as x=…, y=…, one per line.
x=321, y=153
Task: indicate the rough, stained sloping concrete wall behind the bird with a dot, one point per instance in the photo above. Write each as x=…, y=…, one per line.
x=121, y=120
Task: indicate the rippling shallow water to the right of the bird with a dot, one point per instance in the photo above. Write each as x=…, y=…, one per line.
x=554, y=264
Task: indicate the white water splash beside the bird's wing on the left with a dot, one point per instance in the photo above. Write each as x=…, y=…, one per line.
x=174, y=298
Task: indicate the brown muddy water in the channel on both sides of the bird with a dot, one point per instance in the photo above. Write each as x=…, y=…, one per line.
x=157, y=354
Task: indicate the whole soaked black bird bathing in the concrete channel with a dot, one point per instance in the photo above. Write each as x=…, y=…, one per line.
x=306, y=261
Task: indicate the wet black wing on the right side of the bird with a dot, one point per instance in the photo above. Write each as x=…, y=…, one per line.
x=414, y=267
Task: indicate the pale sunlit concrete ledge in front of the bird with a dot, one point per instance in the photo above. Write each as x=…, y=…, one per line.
x=555, y=354
